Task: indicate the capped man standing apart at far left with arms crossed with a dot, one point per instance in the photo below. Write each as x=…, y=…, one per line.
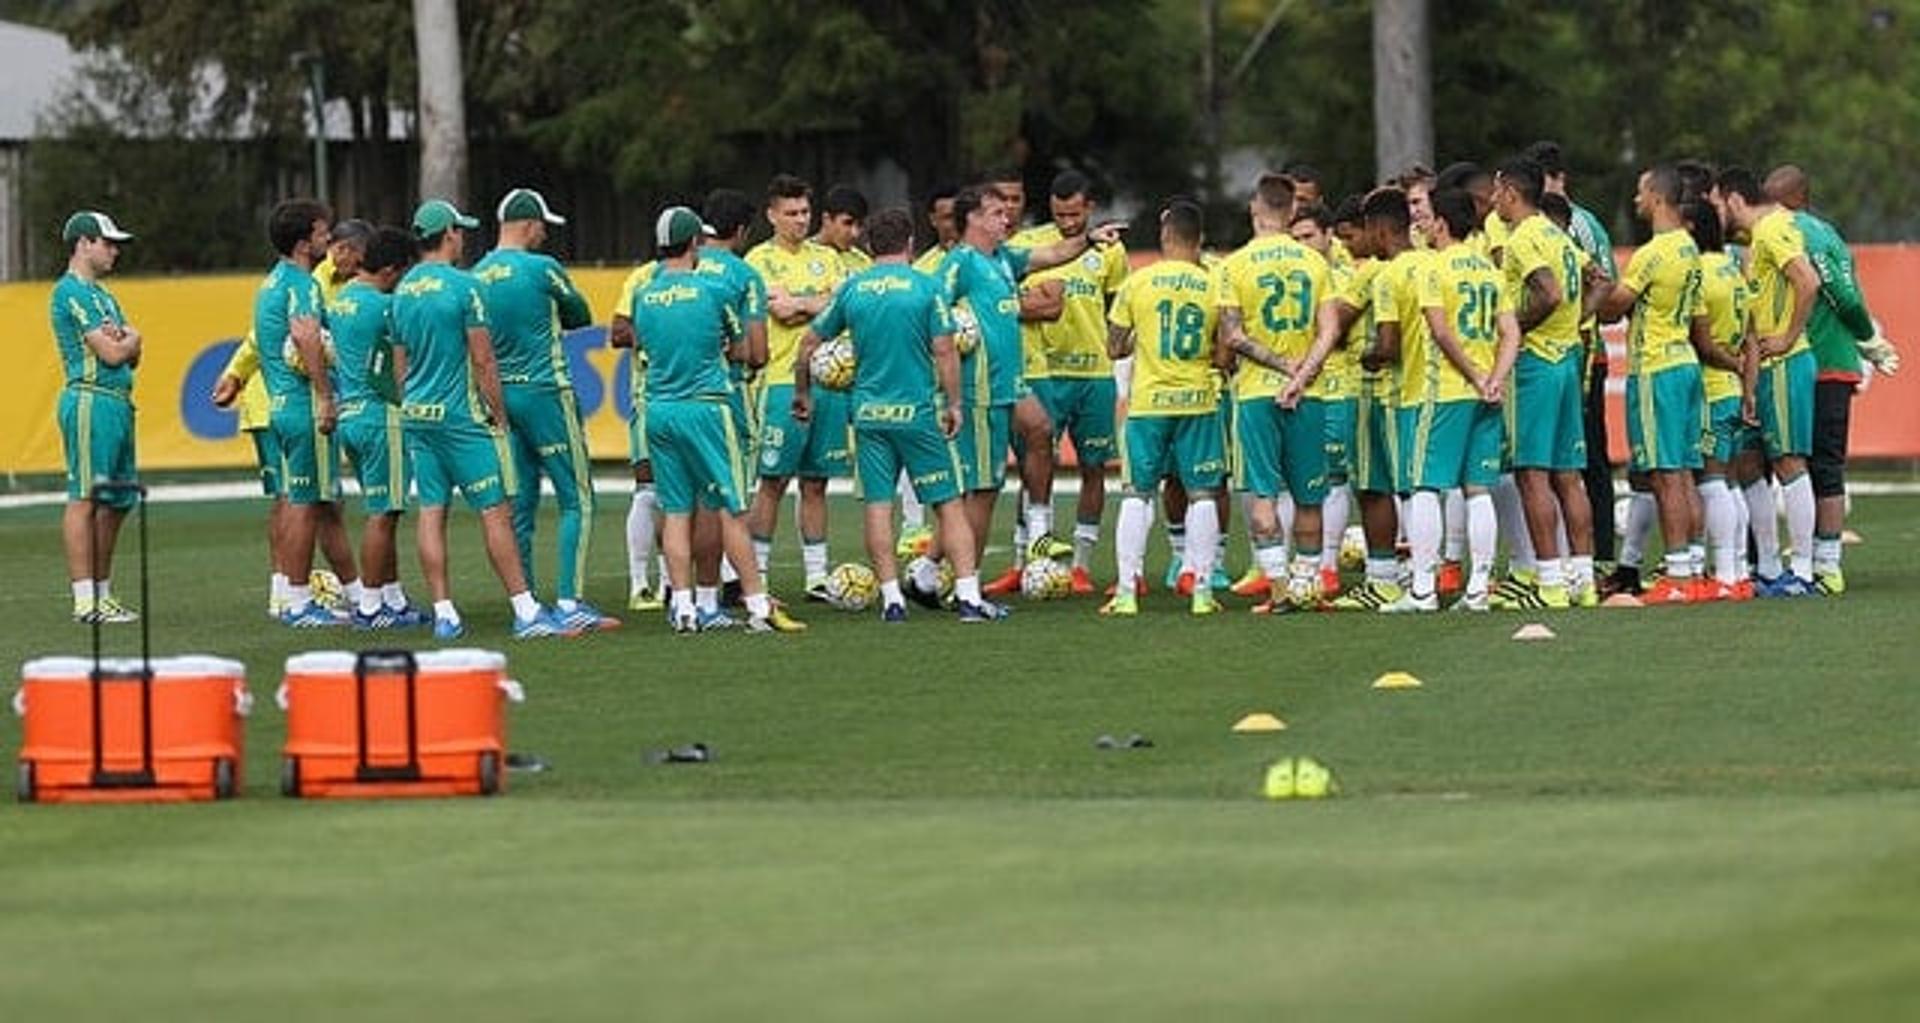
x=99, y=352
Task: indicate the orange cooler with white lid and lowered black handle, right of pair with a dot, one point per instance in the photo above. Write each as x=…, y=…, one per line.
x=396, y=725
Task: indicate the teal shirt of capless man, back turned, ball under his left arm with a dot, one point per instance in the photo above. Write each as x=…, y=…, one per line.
x=892, y=312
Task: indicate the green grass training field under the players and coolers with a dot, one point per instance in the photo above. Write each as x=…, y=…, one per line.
x=1664, y=815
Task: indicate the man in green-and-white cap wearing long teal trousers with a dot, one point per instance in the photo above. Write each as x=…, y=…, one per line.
x=531, y=300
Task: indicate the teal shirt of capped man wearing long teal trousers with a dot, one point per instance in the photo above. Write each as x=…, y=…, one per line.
x=531, y=304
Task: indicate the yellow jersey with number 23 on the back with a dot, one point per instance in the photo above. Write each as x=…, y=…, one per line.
x=1278, y=285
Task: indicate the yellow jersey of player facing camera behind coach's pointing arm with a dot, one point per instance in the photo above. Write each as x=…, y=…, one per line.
x=1074, y=345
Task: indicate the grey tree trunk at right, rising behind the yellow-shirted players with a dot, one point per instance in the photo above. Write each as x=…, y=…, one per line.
x=1403, y=87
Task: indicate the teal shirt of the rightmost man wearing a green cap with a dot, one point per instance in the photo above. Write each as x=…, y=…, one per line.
x=684, y=323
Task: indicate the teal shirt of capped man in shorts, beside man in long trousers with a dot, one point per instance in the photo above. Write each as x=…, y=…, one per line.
x=433, y=310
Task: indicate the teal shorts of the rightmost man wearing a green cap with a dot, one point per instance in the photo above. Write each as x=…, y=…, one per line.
x=698, y=460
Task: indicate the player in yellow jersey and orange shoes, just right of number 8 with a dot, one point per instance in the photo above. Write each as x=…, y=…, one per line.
x=1664, y=385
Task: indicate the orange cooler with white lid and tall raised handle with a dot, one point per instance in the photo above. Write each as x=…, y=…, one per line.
x=130, y=740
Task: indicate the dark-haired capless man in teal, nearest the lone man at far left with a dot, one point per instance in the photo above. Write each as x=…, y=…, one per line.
x=289, y=316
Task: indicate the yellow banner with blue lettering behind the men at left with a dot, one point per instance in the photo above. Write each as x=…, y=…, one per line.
x=191, y=329
